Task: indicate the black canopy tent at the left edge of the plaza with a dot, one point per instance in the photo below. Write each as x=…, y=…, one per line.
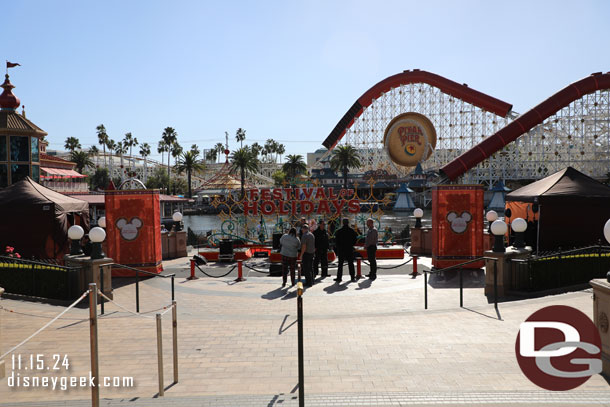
x=35, y=220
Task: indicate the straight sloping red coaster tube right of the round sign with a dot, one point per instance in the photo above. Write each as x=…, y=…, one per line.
x=525, y=123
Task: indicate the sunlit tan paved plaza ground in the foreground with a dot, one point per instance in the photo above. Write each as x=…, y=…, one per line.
x=365, y=344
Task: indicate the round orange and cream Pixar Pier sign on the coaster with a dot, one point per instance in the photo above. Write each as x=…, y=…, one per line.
x=409, y=138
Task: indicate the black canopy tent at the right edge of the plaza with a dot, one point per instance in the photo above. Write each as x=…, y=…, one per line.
x=572, y=209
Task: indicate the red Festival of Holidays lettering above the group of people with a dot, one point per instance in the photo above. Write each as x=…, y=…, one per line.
x=299, y=201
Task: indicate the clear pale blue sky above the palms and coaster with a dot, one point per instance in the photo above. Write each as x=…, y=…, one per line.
x=286, y=70
